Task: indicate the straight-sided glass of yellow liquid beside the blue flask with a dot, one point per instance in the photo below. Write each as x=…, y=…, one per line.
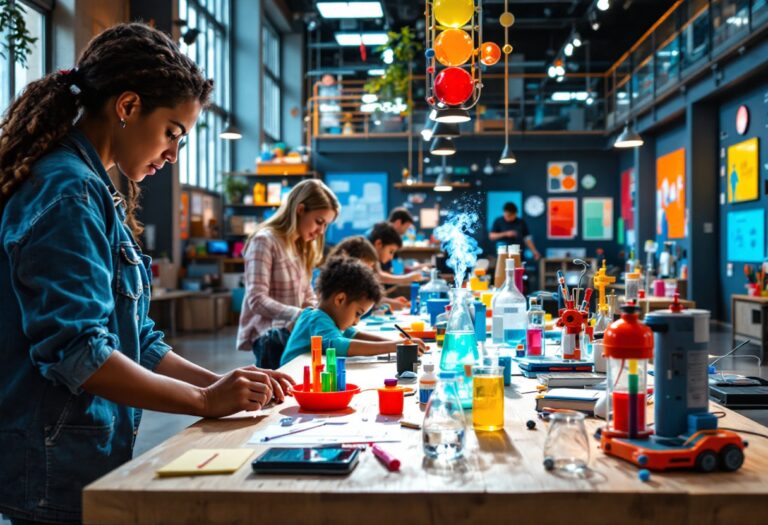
x=488, y=398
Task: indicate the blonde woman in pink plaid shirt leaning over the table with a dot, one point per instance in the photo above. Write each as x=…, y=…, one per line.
x=279, y=259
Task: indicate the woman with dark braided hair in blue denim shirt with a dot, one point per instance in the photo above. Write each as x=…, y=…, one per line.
x=79, y=356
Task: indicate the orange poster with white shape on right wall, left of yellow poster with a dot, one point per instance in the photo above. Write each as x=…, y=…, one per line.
x=671, y=214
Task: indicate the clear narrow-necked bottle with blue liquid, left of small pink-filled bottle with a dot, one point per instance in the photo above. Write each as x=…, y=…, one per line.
x=510, y=319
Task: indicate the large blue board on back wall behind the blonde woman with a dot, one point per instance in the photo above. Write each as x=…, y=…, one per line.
x=363, y=199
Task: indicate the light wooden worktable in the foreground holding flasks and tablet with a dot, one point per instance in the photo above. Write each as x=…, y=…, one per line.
x=501, y=480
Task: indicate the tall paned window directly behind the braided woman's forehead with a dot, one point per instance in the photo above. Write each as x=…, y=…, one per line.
x=206, y=155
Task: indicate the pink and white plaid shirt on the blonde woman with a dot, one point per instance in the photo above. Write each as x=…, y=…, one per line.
x=276, y=288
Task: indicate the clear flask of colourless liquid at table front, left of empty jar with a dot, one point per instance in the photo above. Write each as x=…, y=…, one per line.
x=444, y=427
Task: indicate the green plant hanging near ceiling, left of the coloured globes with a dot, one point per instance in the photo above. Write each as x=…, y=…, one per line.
x=397, y=75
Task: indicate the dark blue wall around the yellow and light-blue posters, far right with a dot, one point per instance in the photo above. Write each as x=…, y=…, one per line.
x=756, y=99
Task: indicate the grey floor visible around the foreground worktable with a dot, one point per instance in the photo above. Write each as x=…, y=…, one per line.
x=217, y=352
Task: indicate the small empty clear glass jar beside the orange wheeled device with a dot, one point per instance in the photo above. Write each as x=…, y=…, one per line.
x=566, y=448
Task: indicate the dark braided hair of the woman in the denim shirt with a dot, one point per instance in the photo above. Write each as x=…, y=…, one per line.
x=126, y=57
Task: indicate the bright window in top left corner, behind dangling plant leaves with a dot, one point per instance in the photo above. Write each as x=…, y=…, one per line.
x=14, y=76
